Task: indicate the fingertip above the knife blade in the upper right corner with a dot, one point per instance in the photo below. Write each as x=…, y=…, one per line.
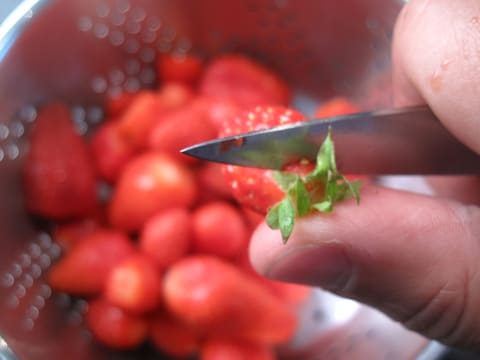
x=435, y=57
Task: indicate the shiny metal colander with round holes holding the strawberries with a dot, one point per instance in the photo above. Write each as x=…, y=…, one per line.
x=80, y=52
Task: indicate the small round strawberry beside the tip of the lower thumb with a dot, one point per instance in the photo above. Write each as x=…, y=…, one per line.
x=219, y=229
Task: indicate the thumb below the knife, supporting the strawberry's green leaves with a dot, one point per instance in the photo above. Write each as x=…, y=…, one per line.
x=409, y=255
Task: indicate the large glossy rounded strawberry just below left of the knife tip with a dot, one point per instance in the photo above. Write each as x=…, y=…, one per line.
x=150, y=183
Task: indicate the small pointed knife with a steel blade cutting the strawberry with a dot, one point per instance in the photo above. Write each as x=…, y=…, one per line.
x=405, y=141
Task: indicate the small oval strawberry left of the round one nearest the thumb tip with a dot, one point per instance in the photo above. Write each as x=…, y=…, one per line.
x=166, y=236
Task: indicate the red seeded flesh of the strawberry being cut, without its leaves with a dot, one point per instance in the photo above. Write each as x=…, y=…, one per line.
x=256, y=188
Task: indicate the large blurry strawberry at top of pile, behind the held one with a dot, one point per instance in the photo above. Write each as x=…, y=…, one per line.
x=244, y=81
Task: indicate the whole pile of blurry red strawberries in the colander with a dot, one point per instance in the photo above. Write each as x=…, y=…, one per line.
x=163, y=255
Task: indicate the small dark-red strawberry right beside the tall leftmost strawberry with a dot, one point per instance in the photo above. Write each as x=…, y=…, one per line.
x=111, y=151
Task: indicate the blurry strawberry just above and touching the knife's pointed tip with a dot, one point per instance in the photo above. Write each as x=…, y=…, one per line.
x=181, y=128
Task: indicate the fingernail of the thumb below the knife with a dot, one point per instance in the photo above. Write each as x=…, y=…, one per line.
x=325, y=265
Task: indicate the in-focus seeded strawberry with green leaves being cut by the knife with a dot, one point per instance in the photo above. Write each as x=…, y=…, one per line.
x=300, y=189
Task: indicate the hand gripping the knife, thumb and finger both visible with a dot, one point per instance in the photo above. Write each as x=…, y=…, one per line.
x=414, y=257
